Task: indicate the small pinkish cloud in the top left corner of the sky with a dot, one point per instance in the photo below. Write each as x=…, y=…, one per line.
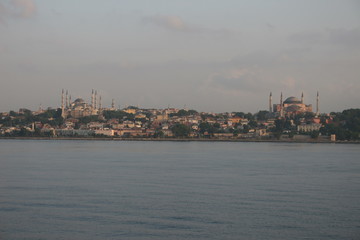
x=17, y=9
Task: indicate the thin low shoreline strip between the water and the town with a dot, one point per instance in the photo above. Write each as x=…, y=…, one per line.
x=177, y=139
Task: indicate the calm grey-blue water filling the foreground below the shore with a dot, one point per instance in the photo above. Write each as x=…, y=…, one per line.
x=178, y=190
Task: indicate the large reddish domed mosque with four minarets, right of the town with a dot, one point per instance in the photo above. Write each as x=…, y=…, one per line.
x=292, y=106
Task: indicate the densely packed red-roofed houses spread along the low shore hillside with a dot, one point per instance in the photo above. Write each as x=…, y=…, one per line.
x=144, y=123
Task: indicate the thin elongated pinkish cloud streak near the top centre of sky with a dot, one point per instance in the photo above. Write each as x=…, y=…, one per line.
x=175, y=23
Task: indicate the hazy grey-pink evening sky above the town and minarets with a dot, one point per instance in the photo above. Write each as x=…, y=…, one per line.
x=207, y=55
